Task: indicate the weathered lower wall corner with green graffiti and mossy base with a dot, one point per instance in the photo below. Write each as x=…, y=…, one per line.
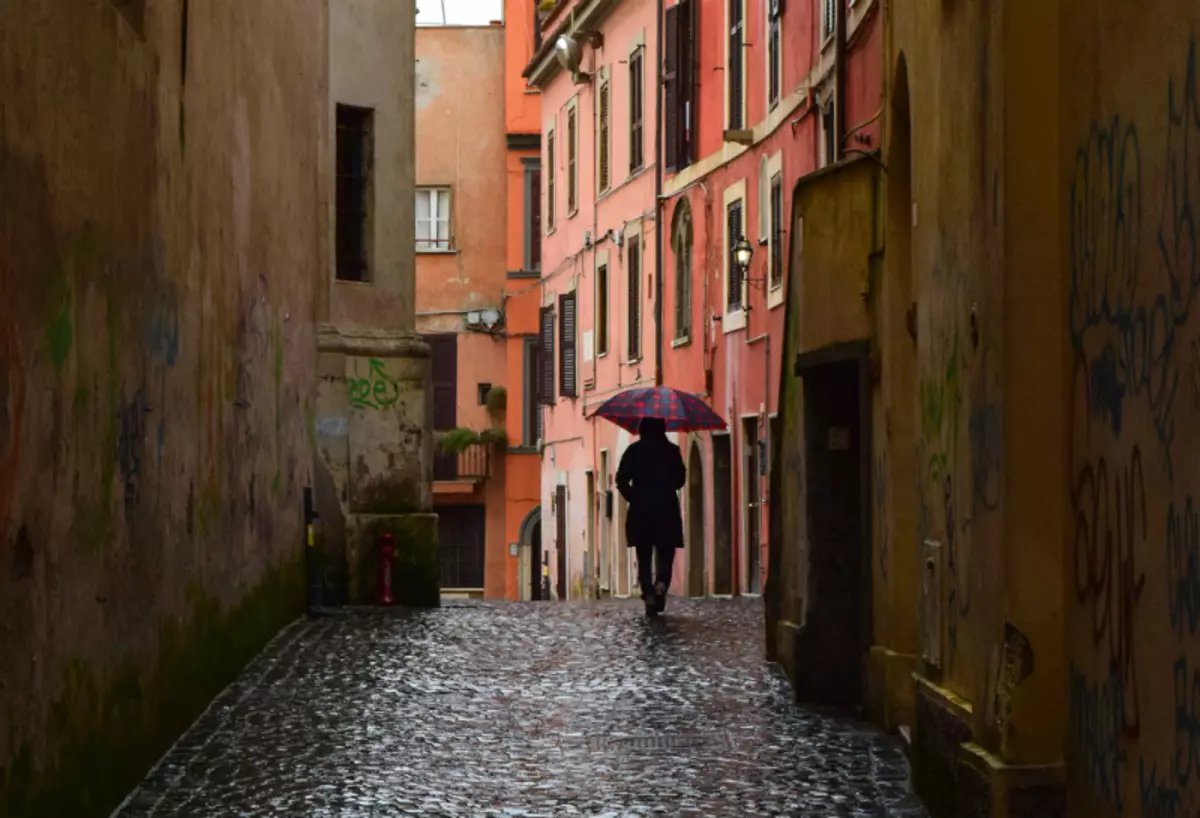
x=375, y=464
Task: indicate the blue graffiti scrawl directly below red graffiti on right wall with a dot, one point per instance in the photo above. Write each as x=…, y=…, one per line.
x=1097, y=715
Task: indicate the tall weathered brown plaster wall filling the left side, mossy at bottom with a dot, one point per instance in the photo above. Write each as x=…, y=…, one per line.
x=160, y=258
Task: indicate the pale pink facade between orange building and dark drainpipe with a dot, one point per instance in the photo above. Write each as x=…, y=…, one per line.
x=598, y=280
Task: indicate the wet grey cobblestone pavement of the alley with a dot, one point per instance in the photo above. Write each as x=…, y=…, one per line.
x=525, y=709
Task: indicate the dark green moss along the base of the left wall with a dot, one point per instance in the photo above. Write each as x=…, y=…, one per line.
x=110, y=727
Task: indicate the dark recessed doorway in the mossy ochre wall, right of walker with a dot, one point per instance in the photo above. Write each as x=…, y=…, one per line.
x=837, y=394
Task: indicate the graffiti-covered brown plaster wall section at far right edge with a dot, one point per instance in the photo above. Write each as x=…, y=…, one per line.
x=1131, y=182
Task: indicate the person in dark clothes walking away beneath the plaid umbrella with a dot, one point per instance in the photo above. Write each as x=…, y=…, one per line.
x=650, y=477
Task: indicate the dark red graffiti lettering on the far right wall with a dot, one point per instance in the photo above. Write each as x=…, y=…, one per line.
x=1109, y=519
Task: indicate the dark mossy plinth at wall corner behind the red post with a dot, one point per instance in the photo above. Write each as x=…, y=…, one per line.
x=415, y=570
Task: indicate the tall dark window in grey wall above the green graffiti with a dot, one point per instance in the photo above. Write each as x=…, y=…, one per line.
x=355, y=139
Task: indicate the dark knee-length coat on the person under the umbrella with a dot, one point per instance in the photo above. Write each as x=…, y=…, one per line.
x=651, y=474
